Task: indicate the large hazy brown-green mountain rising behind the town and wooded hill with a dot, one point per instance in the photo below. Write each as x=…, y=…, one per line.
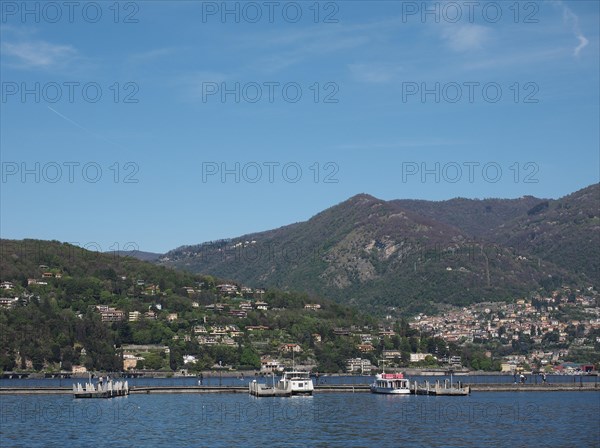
x=412, y=253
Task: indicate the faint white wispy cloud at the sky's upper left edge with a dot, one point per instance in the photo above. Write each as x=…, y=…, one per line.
x=37, y=54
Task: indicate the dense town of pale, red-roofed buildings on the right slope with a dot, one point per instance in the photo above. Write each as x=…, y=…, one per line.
x=552, y=327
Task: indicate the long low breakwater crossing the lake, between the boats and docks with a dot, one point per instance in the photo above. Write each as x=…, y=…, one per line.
x=590, y=387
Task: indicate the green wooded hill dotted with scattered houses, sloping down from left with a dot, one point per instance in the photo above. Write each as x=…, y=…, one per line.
x=64, y=306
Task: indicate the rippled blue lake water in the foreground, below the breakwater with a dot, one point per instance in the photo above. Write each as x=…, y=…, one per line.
x=524, y=419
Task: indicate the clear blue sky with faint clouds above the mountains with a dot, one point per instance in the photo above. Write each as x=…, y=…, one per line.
x=162, y=124
